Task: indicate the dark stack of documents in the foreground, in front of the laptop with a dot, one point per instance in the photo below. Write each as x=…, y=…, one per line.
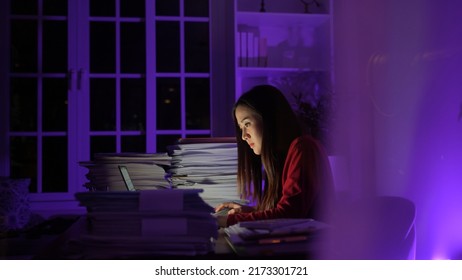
x=146, y=223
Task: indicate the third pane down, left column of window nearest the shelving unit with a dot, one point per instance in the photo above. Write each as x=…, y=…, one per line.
x=168, y=103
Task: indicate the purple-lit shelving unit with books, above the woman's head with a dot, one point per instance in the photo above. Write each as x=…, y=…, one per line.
x=280, y=42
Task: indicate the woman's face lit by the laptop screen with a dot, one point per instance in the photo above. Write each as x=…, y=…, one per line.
x=251, y=127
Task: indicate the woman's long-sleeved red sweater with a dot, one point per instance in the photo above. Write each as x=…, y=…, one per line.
x=307, y=185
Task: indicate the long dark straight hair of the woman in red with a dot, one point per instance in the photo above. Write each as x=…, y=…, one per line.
x=280, y=127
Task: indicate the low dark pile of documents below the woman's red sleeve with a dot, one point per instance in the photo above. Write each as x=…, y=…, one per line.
x=275, y=237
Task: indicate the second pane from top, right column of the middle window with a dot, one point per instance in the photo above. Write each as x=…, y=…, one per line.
x=133, y=47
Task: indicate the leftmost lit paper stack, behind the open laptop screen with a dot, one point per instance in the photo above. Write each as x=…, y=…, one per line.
x=147, y=171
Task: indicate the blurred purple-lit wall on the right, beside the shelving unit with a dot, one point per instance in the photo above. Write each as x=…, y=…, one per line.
x=399, y=81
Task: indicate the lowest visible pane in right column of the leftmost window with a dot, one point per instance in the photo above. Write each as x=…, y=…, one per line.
x=54, y=164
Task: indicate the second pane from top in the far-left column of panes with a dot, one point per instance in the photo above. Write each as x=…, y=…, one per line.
x=23, y=46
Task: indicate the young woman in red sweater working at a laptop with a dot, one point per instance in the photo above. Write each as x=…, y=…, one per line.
x=285, y=171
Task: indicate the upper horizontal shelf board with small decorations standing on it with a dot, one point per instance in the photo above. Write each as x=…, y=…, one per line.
x=280, y=19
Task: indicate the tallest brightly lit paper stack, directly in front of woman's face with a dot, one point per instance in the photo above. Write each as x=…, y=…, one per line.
x=206, y=163
